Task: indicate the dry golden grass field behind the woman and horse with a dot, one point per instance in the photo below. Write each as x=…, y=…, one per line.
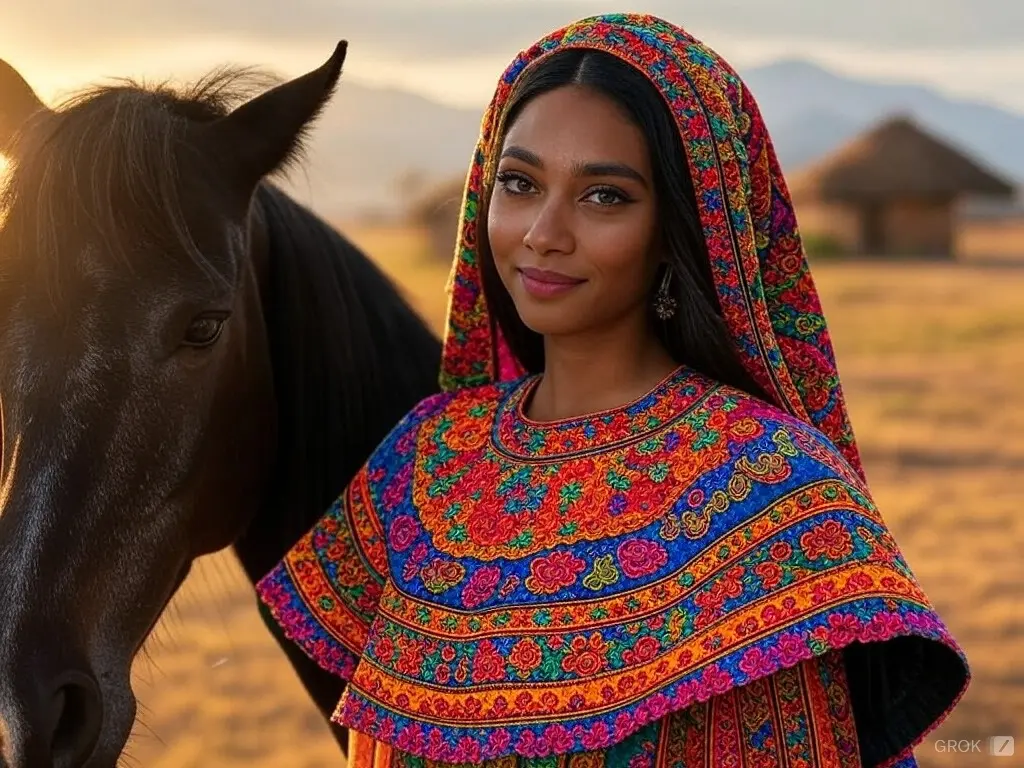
x=933, y=363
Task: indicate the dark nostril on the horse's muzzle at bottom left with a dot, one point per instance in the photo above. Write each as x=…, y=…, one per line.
x=78, y=719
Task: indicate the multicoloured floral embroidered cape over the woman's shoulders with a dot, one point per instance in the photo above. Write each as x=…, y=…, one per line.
x=532, y=652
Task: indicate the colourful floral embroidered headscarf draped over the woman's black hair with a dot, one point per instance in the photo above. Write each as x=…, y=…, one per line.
x=761, y=274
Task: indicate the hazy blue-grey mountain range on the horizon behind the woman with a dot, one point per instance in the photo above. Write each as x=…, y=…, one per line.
x=371, y=143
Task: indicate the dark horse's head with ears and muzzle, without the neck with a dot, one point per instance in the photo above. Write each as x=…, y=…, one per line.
x=136, y=376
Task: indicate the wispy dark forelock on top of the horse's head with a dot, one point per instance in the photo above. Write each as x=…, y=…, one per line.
x=111, y=148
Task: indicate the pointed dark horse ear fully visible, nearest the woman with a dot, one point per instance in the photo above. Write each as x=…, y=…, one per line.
x=266, y=134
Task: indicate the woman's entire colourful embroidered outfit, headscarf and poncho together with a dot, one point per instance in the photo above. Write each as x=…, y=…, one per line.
x=696, y=579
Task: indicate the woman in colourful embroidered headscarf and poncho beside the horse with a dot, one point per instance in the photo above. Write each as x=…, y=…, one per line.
x=634, y=530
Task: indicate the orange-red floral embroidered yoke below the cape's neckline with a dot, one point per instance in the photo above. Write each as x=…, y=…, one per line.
x=546, y=493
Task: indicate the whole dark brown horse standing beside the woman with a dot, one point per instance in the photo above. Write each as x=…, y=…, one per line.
x=189, y=360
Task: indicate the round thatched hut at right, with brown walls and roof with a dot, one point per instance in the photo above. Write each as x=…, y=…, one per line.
x=890, y=192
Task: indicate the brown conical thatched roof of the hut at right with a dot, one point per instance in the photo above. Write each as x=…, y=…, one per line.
x=897, y=158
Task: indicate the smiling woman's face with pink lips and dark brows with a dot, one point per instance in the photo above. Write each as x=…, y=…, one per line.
x=573, y=219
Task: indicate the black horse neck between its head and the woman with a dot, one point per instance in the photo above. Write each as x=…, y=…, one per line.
x=350, y=357
